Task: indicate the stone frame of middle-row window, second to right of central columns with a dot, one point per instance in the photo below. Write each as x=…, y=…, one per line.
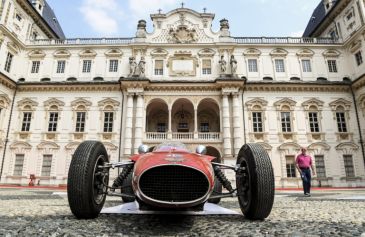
x=286, y=105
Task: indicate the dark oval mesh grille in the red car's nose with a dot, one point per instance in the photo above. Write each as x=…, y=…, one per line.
x=173, y=183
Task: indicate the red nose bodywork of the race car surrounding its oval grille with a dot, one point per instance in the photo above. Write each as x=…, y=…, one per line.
x=168, y=156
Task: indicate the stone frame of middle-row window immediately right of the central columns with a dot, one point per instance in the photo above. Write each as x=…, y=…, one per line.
x=257, y=105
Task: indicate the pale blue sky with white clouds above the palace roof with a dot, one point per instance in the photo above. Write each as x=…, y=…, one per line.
x=118, y=18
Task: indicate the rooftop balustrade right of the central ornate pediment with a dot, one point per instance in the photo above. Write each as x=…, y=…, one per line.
x=285, y=40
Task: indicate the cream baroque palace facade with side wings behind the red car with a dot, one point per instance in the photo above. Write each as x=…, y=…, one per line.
x=183, y=82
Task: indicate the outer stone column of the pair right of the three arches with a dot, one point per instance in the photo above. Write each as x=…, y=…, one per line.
x=237, y=123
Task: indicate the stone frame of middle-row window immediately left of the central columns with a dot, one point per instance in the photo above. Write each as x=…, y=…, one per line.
x=107, y=105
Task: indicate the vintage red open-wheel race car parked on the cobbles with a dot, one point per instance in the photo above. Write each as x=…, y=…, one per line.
x=170, y=178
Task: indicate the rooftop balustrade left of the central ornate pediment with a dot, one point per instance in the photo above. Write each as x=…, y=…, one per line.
x=82, y=41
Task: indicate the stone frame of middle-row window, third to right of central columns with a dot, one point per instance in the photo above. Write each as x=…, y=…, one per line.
x=314, y=105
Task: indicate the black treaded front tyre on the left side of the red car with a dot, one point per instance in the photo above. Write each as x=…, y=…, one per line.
x=86, y=184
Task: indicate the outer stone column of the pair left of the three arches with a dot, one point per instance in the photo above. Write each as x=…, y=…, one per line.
x=128, y=126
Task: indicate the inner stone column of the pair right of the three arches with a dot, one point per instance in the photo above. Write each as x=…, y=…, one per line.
x=227, y=146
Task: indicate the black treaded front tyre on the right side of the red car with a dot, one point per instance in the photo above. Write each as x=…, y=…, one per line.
x=255, y=182
